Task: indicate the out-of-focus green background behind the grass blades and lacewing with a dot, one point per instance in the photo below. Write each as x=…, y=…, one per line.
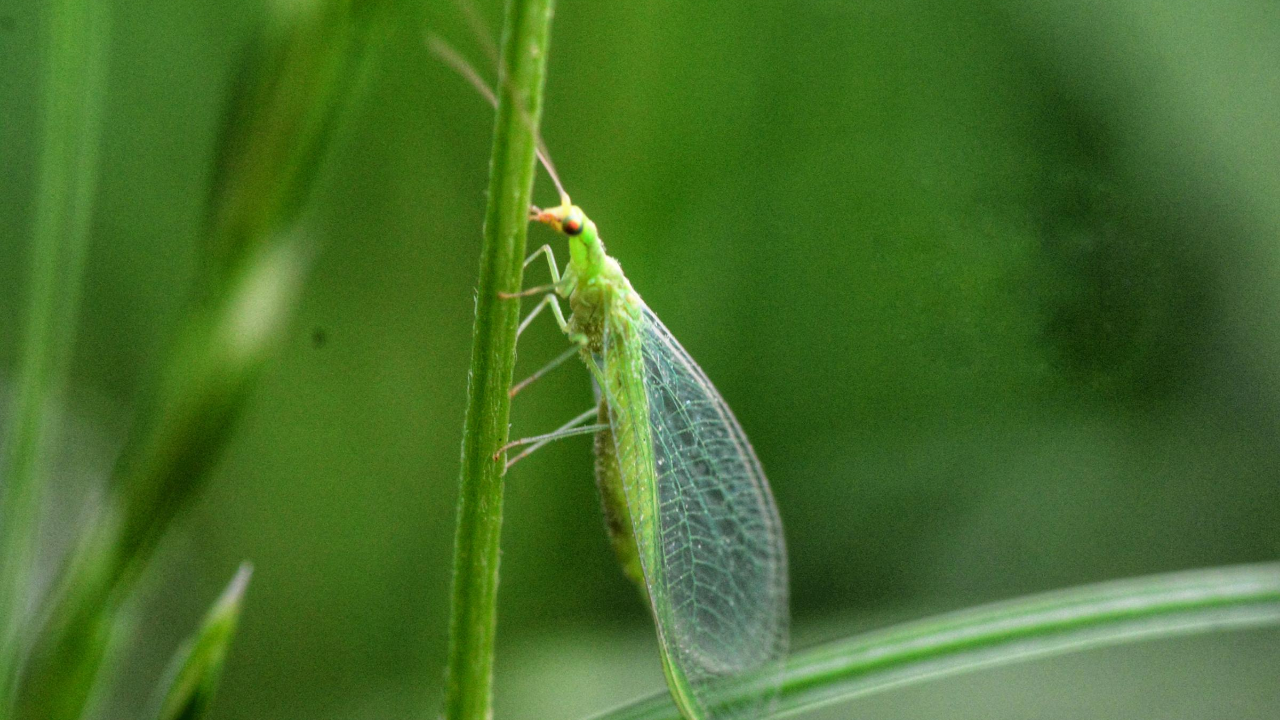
x=994, y=289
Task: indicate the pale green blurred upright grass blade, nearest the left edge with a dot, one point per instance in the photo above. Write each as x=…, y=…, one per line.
x=75, y=85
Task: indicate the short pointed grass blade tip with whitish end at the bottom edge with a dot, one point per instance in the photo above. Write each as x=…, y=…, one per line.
x=198, y=667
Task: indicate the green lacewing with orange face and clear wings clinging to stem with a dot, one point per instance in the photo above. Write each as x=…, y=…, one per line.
x=689, y=511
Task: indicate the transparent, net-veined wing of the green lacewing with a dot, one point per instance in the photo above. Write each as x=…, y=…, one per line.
x=710, y=537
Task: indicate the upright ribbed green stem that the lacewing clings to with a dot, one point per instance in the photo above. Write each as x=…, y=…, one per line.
x=469, y=685
